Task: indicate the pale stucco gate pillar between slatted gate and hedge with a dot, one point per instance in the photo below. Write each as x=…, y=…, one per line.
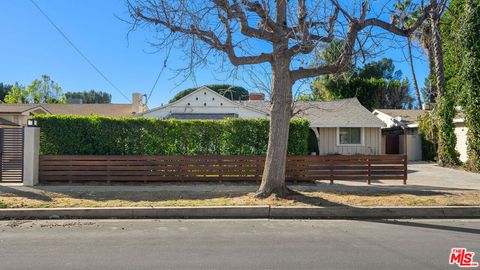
x=31, y=152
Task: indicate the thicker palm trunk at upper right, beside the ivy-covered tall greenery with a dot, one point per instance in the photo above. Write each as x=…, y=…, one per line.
x=438, y=53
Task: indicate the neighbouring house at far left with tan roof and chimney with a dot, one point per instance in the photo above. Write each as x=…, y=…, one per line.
x=16, y=115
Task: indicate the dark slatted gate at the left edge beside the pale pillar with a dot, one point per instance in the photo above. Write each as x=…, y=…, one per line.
x=11, y=155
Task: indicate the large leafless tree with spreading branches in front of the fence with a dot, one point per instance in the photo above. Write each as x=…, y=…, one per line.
x=281, y=33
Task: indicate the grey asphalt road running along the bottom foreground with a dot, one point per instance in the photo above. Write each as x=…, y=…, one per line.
x=234, y=244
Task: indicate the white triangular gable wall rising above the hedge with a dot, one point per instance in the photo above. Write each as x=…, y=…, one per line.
x=205, y=102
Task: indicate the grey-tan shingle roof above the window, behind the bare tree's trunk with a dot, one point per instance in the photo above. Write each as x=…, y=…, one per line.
x=338, y=113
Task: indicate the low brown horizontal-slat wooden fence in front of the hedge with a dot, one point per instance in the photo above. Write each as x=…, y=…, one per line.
x=218, y=168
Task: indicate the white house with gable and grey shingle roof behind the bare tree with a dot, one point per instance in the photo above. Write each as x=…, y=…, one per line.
x=342, y=127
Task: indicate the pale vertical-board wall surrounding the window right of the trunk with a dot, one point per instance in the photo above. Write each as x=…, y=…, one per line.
x=328, y=143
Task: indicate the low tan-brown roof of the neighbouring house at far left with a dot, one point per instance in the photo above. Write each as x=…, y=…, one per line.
x=113, y=110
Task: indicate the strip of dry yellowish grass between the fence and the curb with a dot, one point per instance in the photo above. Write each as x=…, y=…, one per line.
x=44, y=199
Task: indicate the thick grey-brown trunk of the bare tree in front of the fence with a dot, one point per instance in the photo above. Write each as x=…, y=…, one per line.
x=273, y=178
